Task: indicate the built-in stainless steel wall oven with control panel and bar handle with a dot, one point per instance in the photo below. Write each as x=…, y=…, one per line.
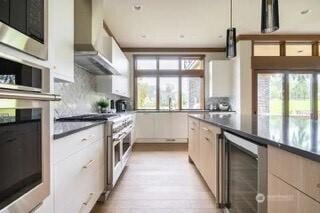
x=24, y=139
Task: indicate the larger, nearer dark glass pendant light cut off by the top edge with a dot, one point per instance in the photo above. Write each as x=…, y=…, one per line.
x=269, y=16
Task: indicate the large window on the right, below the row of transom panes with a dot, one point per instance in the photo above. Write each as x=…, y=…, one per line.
x=290, y=93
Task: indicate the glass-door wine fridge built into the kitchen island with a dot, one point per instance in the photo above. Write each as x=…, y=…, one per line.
x=242, y=175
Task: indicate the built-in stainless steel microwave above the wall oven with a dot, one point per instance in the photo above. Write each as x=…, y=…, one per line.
x=23, y=25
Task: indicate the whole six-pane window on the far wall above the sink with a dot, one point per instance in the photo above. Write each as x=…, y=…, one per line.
x=169, y=82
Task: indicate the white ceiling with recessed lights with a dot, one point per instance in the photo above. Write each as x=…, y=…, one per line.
x=201, y=22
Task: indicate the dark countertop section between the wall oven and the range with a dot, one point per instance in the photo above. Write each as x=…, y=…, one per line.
x=65, y=128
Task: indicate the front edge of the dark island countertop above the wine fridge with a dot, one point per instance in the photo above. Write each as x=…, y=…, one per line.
x=263, y=141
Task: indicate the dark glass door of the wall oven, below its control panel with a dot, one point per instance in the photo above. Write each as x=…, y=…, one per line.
x=24, y=154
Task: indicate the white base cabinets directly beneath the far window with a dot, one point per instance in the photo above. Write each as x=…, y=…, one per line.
x=162, y=127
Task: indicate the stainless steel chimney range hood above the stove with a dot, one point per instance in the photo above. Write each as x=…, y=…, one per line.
x=93, y=45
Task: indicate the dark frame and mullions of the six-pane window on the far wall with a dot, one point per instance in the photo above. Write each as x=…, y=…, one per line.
x=169, y=73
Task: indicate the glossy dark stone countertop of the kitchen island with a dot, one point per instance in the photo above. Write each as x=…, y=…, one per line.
x=297, y=135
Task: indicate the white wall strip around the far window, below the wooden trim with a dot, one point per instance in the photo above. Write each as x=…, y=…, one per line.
x=209, y=56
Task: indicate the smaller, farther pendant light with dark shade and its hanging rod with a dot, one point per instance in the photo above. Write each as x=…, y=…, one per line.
x=231, y=37
